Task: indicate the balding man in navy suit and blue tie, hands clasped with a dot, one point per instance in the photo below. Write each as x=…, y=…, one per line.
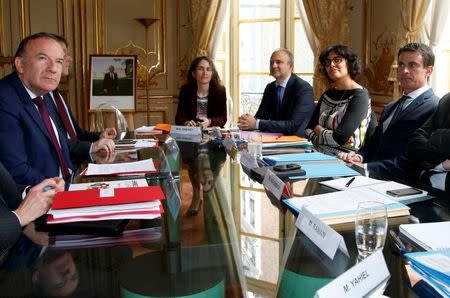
x=287, y=104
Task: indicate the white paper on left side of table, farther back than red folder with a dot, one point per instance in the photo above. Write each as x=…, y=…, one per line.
x=142, y=166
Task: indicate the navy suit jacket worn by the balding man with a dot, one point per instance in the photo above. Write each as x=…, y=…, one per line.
x=297, y=108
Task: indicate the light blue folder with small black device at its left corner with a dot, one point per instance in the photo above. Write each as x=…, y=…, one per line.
x=326, y=170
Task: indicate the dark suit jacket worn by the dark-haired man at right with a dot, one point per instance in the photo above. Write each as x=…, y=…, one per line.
x=384, y=153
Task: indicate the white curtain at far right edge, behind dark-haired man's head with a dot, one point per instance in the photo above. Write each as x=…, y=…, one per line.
x=436, y=20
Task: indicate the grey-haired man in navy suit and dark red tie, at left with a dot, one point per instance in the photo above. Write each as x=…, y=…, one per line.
x=32, y=148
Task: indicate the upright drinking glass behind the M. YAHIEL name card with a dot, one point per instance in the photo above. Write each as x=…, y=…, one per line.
x=370, y=227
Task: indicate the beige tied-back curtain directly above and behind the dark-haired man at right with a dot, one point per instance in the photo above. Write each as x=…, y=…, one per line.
x=412, y=15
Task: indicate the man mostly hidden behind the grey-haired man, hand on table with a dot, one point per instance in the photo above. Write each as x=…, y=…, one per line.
x=81, y=142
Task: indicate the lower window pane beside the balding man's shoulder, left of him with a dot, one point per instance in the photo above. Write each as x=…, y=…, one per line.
x=251, y=91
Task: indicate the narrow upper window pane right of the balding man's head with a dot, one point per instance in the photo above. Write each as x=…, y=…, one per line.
x=304, y=58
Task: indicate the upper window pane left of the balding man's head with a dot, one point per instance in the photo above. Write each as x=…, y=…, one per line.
x=257, y=41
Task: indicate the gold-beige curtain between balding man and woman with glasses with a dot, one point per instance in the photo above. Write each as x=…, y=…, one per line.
x=329, y=23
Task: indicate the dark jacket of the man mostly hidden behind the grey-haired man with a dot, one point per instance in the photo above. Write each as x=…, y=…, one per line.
x=79, y=149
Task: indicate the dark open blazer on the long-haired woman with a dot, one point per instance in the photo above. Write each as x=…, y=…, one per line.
x=187, y=105
